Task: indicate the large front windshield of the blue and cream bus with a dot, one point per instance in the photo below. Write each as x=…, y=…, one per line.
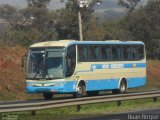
x=45, y=63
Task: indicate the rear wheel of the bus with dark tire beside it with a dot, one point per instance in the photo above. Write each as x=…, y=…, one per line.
x=122, y=89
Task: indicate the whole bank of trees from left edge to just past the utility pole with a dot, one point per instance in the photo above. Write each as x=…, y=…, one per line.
x=36, y=23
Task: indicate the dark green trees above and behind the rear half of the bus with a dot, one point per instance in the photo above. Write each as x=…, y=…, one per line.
x=141, y=25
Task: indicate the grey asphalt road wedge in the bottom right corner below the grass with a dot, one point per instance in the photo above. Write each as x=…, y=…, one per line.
x=138, y=115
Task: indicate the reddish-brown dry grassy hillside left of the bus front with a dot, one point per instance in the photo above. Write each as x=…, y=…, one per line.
x=12, y=84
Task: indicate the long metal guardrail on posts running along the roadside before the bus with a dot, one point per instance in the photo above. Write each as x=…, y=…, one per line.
x=15, y=107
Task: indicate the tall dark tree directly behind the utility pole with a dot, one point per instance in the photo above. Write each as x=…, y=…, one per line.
x=69, y=27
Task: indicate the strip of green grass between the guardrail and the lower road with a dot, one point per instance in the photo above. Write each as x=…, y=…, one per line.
x=88, y=110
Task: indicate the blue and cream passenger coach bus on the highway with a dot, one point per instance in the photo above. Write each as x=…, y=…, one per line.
x=85, y=67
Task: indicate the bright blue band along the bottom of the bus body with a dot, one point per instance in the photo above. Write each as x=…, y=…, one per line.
x=91, y=85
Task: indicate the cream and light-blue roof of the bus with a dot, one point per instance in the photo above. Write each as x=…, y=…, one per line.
x=65, y=43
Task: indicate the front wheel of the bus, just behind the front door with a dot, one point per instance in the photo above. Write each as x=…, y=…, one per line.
x=80, y=92
